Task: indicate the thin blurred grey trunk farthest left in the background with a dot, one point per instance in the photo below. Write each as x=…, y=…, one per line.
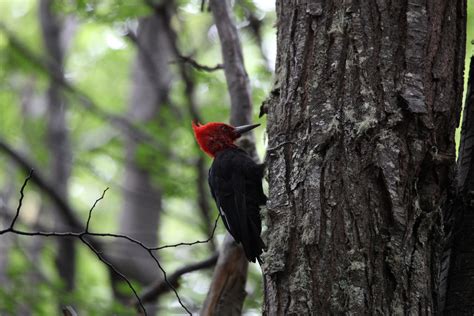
x=57, y=132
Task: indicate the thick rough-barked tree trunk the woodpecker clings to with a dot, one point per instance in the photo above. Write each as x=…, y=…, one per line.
x=361, y=152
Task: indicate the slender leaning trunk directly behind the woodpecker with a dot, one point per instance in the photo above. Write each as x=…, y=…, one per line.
x=227, y=291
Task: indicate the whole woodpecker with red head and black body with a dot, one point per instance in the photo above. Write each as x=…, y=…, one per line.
x=235, y=181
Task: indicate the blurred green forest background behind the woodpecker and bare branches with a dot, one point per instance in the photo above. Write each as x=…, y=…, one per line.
x=100, y=94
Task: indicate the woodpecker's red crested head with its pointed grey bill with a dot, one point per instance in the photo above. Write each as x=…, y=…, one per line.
x=214, y=137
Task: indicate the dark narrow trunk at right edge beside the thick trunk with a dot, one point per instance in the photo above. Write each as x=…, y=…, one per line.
x=460, y=283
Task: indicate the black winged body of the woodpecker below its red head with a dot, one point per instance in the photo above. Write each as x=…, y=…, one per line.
x=236, y=185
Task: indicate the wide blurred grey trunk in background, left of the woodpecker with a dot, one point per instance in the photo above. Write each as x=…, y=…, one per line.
x=142, y=195
